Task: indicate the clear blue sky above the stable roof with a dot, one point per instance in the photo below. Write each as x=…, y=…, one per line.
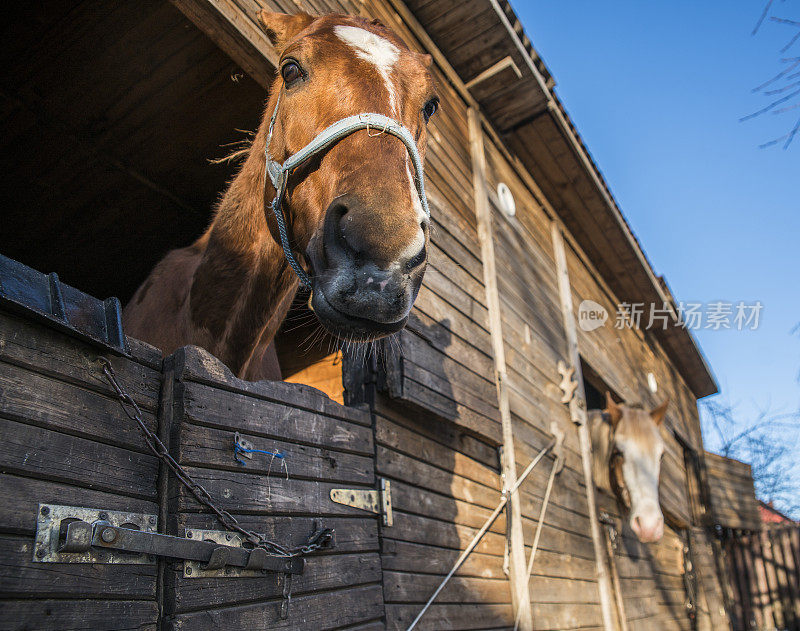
x=656, y=91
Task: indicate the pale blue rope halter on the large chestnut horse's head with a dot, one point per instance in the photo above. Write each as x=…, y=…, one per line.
x=279, y=173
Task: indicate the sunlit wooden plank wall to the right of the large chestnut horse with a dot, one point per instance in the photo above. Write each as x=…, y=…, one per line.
x=435, y=413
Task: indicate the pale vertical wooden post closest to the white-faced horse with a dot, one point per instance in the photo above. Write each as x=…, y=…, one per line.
x=577, y=408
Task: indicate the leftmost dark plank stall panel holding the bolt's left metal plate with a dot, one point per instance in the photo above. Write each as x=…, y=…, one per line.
x=66, y=441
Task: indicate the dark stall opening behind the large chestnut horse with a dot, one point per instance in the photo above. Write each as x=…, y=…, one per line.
x=114, y=126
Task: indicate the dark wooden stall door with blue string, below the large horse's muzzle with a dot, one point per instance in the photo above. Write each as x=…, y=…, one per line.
x=324, y=446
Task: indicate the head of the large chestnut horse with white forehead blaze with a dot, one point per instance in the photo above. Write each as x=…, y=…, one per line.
x=354, y=208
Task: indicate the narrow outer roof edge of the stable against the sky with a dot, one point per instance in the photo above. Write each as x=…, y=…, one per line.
x=687, y=353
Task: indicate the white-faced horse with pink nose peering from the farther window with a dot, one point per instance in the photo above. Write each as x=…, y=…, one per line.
x=626, y=448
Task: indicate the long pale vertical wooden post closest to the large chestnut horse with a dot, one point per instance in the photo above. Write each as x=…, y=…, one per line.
x=520, y=597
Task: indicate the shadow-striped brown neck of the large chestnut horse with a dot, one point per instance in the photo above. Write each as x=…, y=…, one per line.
x=243, y=286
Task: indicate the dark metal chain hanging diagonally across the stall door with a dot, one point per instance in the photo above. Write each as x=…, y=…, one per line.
x=319, y=539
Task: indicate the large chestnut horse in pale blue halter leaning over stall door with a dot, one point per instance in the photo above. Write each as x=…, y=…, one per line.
x=353, y=213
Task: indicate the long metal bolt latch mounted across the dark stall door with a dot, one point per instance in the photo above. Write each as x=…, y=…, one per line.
x=68, y=534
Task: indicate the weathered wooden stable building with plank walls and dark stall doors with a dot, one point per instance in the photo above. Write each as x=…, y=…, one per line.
x=110, y=120
